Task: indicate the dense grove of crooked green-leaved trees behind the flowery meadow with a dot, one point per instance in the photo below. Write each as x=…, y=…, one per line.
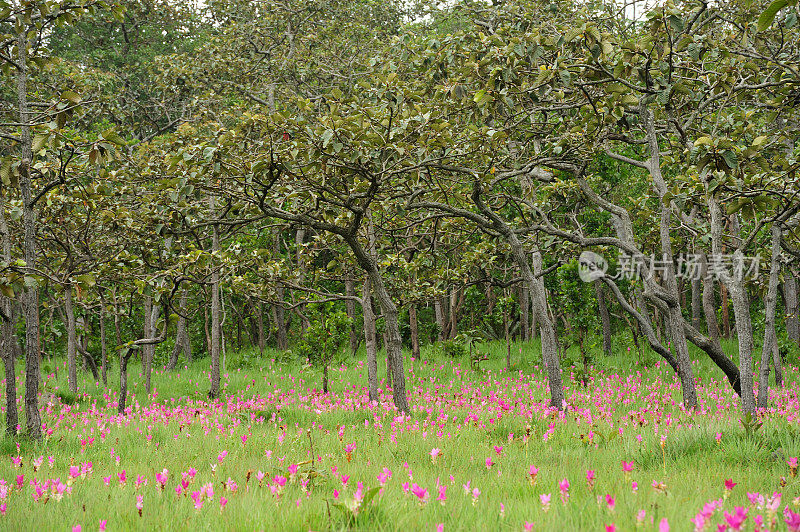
x=180, y=180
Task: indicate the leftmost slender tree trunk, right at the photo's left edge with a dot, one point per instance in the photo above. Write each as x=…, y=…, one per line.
x=8, y=338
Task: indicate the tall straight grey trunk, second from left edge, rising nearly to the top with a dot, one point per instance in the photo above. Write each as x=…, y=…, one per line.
x=29, y=221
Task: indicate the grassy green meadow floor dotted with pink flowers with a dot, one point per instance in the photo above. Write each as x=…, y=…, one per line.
x=481, y=451
